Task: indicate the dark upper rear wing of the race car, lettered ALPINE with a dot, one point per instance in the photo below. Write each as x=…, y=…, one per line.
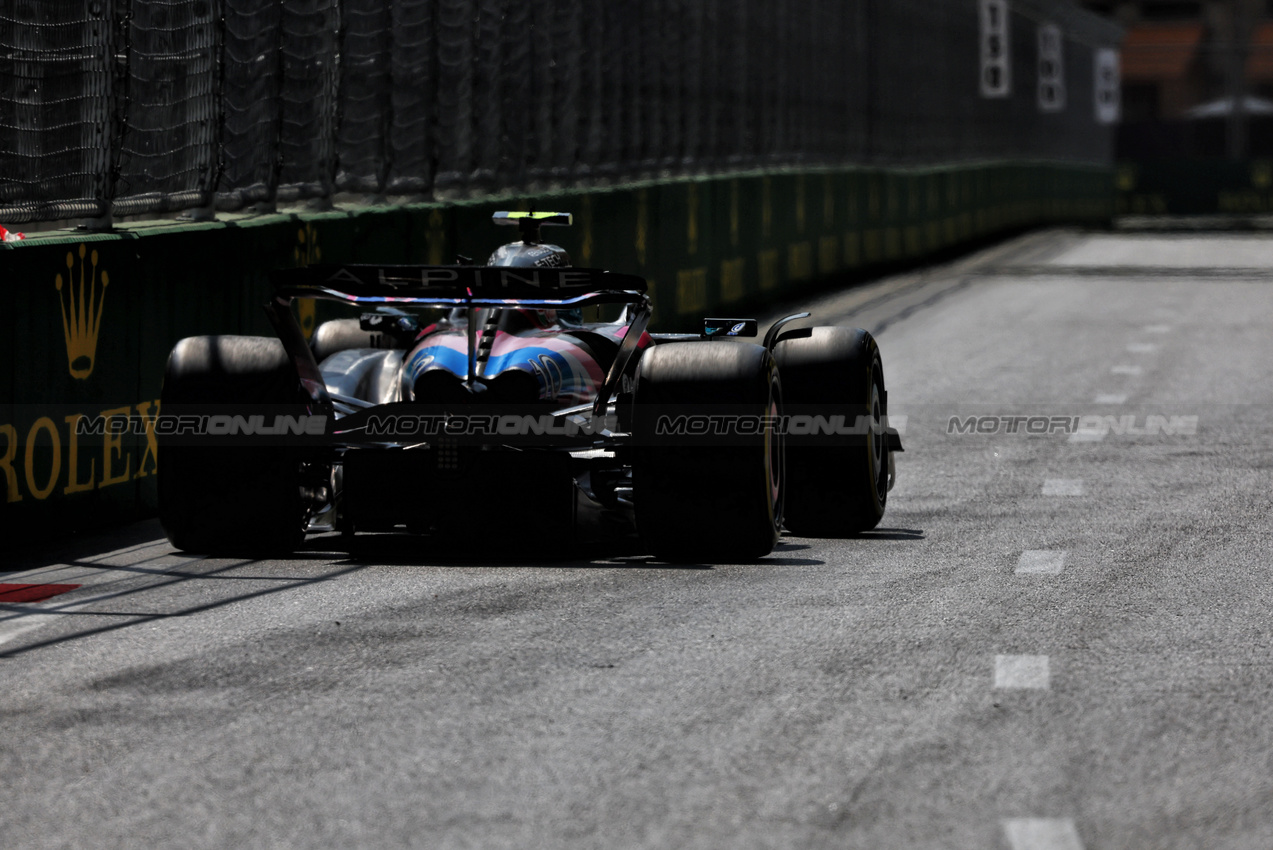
x=461, y=286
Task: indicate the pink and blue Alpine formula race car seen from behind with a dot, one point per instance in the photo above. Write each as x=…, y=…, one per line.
x=479, y=401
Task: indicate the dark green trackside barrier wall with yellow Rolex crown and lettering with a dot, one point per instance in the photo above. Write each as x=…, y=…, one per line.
x=90, y=319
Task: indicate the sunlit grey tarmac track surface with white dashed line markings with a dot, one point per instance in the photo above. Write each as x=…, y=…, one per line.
x=1001, y=665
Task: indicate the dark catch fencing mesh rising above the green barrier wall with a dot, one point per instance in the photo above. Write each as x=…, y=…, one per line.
x=150, y=106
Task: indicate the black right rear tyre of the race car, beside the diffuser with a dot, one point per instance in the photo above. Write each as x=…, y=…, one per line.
x=712, y=497
